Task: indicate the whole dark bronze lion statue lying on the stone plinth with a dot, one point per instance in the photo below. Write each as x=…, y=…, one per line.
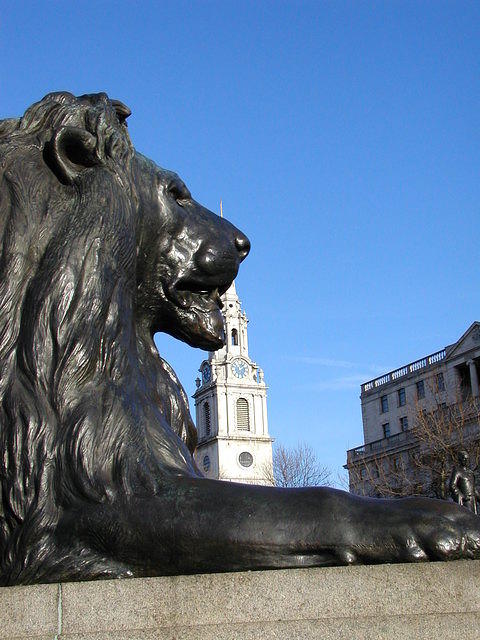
x=101, y=248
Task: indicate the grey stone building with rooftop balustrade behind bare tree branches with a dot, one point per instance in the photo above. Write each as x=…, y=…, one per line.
x=440, y=390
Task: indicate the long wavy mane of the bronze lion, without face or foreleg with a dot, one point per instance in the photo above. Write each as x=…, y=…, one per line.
x=87, y=406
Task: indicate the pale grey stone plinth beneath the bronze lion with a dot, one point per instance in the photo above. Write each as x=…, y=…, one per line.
x=439, y=601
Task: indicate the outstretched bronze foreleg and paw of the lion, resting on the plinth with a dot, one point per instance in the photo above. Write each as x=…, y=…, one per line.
x=199, y=525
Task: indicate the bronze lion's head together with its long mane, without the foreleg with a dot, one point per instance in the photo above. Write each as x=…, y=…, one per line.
x=100, y=249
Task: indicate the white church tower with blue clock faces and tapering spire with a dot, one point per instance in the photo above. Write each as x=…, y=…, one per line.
x=231, y=407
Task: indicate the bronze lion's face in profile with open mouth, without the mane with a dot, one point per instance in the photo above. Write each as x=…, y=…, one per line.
x=187, y=259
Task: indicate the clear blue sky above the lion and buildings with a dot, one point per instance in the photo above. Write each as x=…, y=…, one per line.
x=343, y=138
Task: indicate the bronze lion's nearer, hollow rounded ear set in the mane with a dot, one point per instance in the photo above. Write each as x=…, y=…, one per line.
x=69, y=152
